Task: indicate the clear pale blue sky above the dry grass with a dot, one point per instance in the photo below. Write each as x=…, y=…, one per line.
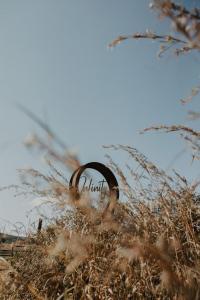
x=54, y=60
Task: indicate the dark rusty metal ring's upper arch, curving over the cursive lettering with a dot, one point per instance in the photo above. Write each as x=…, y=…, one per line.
x=101, y=168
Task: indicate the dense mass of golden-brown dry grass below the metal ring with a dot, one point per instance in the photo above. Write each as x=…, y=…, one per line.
x=141, y=254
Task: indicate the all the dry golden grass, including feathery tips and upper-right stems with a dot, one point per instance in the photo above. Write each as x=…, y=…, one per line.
x=148, y=248
